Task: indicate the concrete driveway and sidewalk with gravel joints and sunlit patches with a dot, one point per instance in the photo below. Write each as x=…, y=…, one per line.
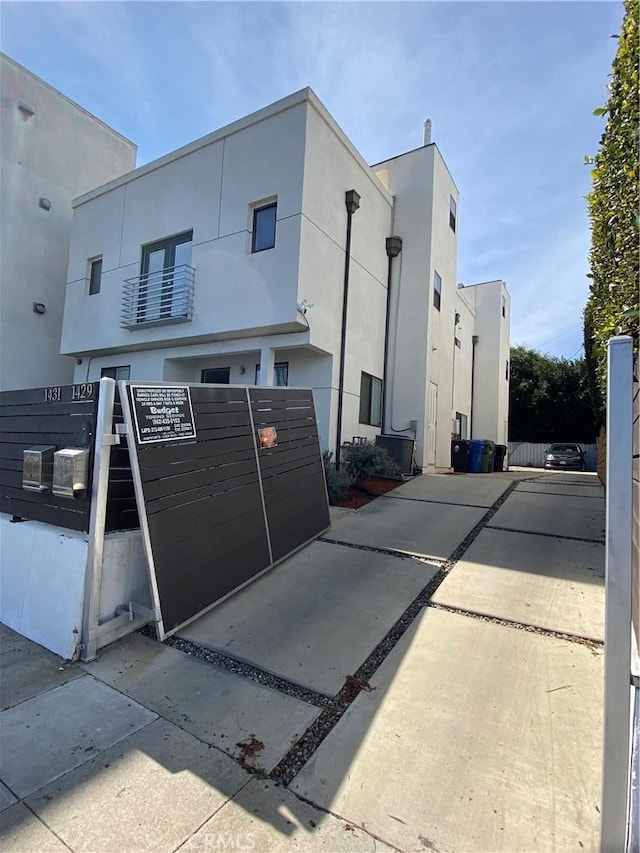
x=429, y=678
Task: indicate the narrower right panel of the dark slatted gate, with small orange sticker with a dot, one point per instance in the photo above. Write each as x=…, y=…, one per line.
x=292, y=471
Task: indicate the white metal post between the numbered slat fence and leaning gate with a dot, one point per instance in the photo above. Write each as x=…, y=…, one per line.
x=93, y=574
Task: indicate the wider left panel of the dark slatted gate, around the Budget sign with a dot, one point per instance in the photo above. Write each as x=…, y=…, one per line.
x=203, y=506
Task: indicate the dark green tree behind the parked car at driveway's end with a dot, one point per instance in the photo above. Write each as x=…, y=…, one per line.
x=549, y=399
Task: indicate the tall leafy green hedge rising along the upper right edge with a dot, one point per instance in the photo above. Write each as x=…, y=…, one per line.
x=612, y=308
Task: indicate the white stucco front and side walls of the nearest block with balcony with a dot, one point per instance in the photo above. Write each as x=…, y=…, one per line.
x=293, y=151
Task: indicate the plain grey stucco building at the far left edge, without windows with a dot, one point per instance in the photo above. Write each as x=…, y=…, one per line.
x=52, y=150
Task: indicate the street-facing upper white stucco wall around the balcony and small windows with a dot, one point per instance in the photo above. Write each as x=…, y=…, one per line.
x=208, y=187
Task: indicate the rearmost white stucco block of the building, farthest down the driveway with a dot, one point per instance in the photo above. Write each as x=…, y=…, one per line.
x=491, y=387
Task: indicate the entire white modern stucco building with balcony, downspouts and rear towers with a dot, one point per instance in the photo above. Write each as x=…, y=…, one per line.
x=224, y=261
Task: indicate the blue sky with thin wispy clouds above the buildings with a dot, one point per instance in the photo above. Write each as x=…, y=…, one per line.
x=510, y=88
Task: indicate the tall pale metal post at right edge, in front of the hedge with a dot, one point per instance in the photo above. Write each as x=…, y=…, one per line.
x=617, y=639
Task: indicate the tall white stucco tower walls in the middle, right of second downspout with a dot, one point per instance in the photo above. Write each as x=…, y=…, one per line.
x=421, y=337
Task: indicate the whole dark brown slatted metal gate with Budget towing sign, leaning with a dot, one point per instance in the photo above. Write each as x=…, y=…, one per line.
x=216, y=508
